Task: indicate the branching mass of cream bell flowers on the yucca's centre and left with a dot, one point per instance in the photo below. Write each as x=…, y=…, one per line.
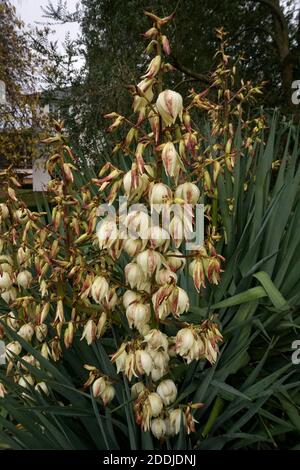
x=64, y=280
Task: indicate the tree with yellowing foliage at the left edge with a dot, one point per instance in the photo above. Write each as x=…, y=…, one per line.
x=19, y=116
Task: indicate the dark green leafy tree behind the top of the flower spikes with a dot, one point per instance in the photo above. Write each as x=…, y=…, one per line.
x=263, y=31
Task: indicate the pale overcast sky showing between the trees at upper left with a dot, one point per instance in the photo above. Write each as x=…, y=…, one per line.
x=30, y=12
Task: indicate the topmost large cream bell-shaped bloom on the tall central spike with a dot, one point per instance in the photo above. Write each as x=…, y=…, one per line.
x=169, y=105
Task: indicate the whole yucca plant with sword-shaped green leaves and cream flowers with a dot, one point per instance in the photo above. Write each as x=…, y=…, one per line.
x=61, y=389
